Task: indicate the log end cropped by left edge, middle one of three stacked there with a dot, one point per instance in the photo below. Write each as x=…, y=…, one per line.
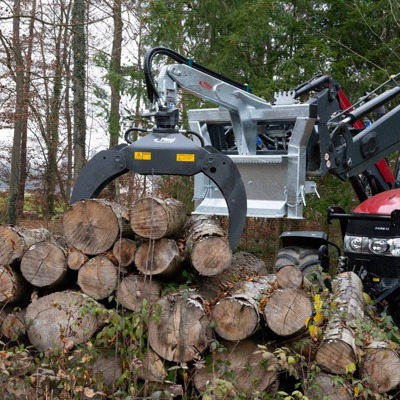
x=13, y=287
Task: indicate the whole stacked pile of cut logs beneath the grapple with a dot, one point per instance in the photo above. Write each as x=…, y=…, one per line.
x=220, y=319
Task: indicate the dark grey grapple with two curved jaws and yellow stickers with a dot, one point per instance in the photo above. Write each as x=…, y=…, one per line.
x=168, y=154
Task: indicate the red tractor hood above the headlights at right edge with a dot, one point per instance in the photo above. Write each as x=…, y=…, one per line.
x=383, y=203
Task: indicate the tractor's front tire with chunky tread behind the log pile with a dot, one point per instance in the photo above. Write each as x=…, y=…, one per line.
x=306, y=259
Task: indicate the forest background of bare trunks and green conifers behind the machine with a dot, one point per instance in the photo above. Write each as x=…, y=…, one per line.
x=71, y=80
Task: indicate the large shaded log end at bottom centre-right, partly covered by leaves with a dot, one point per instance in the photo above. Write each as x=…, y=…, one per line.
x=248, y=369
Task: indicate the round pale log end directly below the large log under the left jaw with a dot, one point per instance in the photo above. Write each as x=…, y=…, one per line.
x=98, y=277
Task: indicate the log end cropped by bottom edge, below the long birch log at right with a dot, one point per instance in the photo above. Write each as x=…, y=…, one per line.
x=325, y=386
